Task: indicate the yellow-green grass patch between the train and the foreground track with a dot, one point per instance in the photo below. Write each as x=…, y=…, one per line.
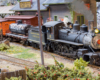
x=20, y=52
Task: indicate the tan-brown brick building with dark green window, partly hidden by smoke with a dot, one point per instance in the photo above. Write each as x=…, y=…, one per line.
x=92, y=6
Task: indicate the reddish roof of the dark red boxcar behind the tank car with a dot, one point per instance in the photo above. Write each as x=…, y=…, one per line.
x=20, y=17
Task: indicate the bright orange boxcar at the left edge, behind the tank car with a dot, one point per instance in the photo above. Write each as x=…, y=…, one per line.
x=4, y=25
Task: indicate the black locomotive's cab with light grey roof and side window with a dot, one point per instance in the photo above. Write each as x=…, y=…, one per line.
x=52, y=29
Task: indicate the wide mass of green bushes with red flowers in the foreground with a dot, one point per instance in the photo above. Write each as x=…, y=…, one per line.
x=58, y=72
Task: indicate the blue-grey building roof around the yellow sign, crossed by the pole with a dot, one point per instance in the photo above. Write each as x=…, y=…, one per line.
x=33, y=6
